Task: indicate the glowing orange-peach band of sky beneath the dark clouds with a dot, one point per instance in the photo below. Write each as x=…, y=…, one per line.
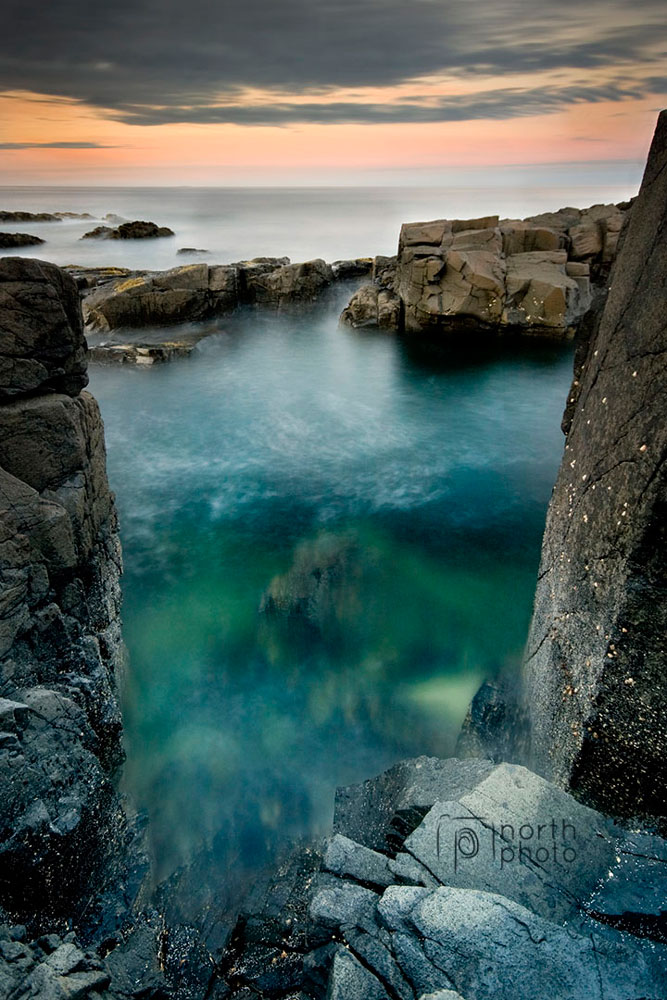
x=237, y=154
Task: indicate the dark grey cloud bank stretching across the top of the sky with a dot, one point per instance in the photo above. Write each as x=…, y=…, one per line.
x=163, y=60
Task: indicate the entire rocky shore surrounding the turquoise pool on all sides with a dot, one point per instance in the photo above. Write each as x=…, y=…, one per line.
x=423, y=890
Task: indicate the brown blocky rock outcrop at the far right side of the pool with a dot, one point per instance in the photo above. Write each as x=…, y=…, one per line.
x=530, y=276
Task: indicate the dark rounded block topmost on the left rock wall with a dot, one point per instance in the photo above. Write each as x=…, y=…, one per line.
x=42, y=347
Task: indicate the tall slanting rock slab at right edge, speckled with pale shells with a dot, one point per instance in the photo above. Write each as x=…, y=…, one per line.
x=595, y=663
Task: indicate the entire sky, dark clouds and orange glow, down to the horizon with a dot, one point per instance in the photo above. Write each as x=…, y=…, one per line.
x=339, y=91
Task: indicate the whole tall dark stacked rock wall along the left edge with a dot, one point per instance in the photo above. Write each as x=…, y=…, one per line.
x=60, y=644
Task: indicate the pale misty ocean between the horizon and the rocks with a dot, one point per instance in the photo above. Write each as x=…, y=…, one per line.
x=301, y=223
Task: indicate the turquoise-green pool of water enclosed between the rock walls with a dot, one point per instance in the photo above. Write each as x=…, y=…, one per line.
x=287, y=434
